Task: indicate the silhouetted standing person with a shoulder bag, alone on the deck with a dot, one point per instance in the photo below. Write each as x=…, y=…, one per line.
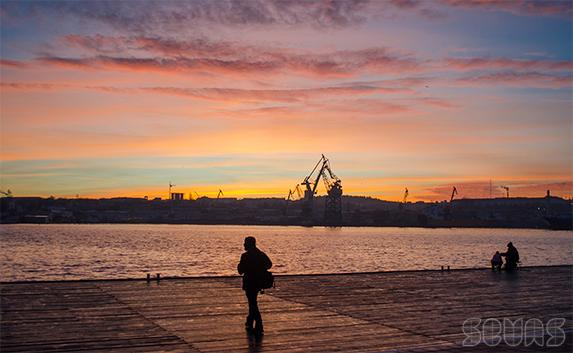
x=252, y=266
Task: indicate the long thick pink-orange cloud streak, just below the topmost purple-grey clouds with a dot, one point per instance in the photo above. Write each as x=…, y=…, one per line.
x=202, y=55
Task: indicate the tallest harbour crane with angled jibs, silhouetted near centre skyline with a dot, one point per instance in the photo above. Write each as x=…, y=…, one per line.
x=333, y=204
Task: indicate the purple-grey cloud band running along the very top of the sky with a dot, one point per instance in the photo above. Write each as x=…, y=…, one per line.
x=151, y=16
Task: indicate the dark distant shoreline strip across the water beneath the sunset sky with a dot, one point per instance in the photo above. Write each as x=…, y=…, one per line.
x=507, y=213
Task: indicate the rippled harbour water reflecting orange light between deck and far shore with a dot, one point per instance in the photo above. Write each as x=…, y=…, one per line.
x=33, y=252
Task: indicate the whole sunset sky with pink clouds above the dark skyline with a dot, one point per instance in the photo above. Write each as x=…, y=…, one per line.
x=120, y=98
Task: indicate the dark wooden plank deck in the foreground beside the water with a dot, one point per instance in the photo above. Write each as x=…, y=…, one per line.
x=417, y=311
